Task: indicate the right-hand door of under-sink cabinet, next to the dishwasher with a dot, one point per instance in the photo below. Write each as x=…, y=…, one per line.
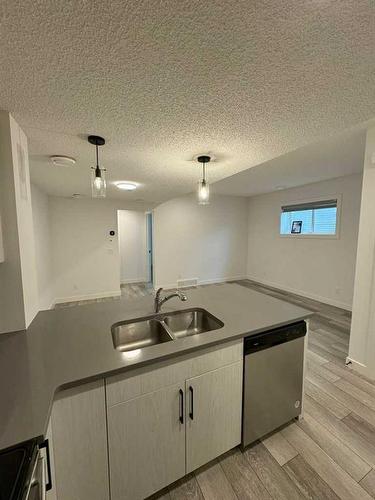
x=213, y=414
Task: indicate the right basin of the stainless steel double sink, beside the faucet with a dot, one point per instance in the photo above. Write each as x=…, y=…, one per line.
x=191, y=322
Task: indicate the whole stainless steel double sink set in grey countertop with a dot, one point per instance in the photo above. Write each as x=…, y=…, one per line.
x=160, y=328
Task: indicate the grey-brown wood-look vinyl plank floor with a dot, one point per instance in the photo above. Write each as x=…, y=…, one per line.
x=328, y=455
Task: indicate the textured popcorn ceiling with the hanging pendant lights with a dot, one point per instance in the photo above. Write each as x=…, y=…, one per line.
x=163, y=81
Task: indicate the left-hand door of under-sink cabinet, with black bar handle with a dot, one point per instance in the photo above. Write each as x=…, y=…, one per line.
x=146, y=443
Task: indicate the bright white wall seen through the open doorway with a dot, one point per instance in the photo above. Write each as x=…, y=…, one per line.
x=132, y=244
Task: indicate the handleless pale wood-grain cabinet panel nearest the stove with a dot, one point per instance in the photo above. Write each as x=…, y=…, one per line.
x=80, y=443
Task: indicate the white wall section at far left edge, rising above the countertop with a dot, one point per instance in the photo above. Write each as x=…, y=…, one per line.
x=18, y=281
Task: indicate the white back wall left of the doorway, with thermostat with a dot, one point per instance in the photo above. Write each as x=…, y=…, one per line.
x=85, y=258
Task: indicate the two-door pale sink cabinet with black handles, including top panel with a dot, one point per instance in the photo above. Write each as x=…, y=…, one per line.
x=167, y=420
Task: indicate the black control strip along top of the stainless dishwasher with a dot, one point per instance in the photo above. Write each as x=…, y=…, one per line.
x=274, y=337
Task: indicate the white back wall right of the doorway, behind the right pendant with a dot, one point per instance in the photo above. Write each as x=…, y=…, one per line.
x=204, y=242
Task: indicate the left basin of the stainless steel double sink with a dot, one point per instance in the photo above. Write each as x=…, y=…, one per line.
x=130, y=335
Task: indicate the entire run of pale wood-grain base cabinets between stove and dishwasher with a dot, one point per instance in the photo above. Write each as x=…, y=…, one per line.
x=132, y=434
